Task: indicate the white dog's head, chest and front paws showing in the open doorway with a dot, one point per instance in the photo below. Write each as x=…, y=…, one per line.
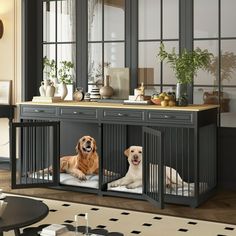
x=133, y=177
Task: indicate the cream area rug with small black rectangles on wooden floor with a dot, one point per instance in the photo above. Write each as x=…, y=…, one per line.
x=129, y=222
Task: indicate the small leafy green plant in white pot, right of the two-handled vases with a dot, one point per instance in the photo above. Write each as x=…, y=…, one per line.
x=65, y=77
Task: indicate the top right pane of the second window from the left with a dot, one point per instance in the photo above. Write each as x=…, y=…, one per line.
x=114, y=19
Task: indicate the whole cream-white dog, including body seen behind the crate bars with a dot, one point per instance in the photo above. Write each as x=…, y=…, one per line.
x=133, y=177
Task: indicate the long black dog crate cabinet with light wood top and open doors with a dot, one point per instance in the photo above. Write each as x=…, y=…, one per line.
x=179, y=148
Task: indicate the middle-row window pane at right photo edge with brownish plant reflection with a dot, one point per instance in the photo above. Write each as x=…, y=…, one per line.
x=228, y=62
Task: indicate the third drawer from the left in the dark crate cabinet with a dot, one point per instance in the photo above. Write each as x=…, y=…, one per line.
x=123, y=115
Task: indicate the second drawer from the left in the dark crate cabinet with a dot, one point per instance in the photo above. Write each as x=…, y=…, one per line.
x=81, y=113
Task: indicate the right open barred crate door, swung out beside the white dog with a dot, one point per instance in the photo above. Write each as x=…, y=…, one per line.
x=153, y=166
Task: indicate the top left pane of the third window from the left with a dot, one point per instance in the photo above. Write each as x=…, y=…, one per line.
x=149, y=19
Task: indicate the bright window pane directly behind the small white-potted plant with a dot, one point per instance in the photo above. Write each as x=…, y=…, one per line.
x=66, y=52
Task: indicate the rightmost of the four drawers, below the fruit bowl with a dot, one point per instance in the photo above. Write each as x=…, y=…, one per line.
x=170, y=117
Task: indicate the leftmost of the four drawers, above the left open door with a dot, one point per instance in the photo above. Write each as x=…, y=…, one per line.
x=38, y=111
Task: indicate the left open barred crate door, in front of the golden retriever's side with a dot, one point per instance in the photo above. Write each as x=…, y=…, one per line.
x=35, y=154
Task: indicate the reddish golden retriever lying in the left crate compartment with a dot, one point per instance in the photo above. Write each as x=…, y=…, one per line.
x=85, y=162
